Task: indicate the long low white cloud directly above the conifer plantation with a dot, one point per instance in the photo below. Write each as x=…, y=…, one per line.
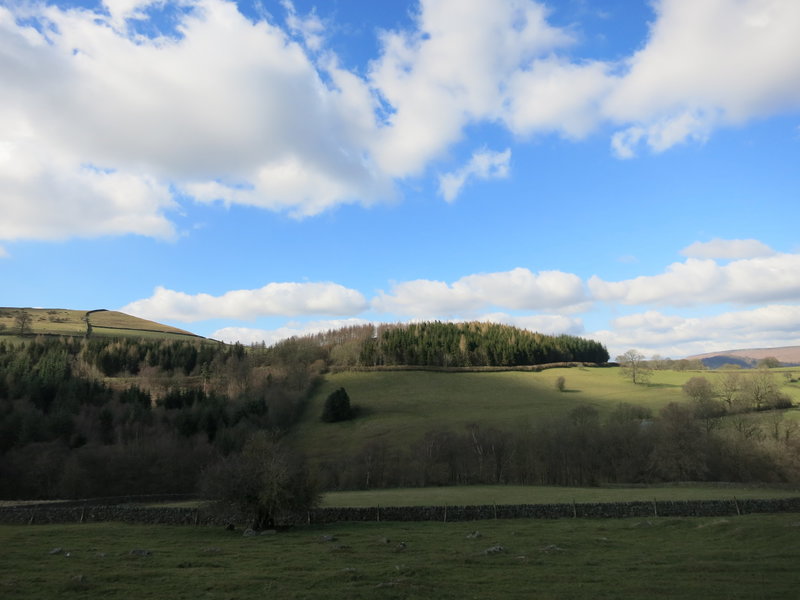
x=518, y=289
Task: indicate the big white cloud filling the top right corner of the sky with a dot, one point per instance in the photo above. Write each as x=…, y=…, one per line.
x=707, y=64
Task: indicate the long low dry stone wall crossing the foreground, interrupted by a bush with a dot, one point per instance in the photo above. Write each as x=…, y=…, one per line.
x=56, y=513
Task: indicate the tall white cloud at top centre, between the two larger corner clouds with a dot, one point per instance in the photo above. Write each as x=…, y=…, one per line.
x=451, y=70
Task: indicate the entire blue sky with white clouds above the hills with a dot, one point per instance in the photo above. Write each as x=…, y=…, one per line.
x=619, y=170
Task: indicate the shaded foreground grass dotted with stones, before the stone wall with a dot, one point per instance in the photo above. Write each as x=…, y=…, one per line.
x=753, y=556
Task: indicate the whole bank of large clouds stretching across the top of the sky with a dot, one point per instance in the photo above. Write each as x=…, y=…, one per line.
x=101, y=130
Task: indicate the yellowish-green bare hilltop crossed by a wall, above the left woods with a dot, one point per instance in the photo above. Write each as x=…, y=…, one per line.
x=100, y=322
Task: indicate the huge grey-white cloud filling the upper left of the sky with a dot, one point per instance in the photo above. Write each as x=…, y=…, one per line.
x=108, y=121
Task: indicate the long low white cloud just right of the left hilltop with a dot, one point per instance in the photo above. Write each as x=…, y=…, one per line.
x=285, y=299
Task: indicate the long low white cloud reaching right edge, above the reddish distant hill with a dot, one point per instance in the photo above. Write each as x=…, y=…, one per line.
x=703, y=281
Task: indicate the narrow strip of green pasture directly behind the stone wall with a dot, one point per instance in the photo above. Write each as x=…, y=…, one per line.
x=525, y=494
